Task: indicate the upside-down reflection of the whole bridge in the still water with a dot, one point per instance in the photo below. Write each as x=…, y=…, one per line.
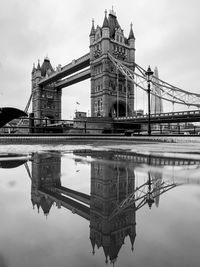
x=117, y=192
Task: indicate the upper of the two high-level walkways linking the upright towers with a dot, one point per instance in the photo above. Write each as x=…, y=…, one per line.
x=75, y=66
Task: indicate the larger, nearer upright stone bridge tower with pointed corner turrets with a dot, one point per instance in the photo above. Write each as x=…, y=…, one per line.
x=111, y=94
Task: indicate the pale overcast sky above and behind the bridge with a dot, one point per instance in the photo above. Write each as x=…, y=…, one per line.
x=167, y=36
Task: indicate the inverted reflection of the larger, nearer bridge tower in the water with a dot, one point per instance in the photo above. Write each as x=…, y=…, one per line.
x=110, y=185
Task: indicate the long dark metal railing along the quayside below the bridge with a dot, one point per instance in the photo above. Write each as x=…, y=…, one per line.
x=92, y=126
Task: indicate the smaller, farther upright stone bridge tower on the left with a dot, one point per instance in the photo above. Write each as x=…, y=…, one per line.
x=46, y=101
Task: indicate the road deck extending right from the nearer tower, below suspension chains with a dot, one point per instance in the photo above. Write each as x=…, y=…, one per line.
x=170, y=117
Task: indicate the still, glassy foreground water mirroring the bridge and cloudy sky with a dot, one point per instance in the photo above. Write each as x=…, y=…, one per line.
x=95, y=206
